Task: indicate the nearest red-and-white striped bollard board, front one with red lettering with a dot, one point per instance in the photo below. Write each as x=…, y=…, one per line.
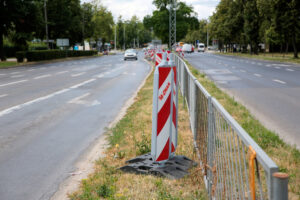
x=162, y=111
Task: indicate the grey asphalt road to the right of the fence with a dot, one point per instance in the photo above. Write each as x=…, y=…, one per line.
x=270, y=90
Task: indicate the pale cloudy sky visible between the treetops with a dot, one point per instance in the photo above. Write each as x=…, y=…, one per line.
x=140, y=8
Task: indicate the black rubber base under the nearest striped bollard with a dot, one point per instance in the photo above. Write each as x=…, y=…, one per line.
x=175, y=168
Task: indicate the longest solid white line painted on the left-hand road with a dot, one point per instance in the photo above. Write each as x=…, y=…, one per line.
x=20, y=106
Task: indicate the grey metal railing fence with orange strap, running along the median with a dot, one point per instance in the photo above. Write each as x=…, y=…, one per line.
x=233, y=164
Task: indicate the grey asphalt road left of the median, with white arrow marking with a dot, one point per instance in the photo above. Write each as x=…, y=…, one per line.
x=51, y=113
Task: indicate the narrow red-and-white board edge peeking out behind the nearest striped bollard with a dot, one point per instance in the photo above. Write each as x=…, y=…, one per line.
x=175, y=103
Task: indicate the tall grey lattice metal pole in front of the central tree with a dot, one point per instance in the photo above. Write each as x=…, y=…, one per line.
x=172, y=24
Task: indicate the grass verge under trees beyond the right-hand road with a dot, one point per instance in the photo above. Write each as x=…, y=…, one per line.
x=277, y=57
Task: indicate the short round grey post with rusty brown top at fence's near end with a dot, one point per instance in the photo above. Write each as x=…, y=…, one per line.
x=280, y=184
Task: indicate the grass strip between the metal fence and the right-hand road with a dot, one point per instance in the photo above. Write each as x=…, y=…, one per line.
x=285, y=156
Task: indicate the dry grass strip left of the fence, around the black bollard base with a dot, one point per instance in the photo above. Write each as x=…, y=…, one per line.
x=131, y=137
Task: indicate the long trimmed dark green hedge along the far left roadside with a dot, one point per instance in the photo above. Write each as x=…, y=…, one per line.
x=55, y=54
